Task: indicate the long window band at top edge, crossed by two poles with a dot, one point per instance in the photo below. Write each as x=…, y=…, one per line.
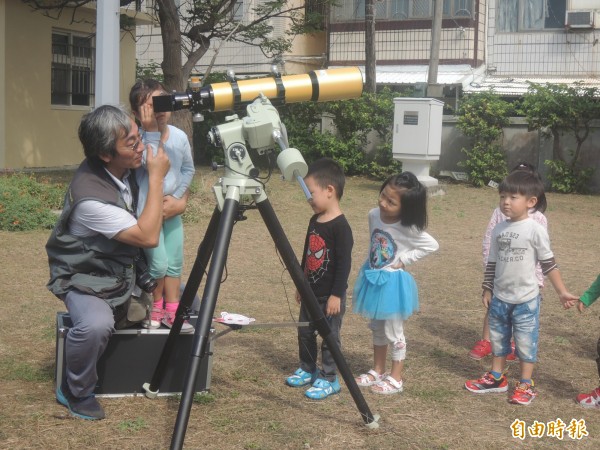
x=353, y=10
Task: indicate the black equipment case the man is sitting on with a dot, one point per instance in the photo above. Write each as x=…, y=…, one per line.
x=131, y=358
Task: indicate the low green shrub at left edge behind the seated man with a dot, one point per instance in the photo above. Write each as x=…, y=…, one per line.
x=26, y=204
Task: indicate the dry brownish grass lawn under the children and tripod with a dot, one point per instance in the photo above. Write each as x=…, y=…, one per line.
x=249, y=407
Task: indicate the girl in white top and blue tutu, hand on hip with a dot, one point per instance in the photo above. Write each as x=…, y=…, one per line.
x=384, y=291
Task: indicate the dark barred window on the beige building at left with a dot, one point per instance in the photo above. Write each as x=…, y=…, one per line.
x=72, y=77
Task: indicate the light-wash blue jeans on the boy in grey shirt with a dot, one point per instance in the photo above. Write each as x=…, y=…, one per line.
x=521, y=321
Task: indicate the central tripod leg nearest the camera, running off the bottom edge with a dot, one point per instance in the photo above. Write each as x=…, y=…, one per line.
x=207, y=308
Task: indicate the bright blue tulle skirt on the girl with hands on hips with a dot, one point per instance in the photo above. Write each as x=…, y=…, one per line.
x=382, y=294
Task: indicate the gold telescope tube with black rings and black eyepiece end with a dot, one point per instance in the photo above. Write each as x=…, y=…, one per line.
x=317, y=85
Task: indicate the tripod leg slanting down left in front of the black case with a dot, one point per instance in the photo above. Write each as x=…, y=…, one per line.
x=191, y=288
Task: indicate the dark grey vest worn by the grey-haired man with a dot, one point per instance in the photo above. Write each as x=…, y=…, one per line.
x=93, y=265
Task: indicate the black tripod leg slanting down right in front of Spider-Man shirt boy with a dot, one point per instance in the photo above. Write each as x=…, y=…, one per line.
x=289, y=258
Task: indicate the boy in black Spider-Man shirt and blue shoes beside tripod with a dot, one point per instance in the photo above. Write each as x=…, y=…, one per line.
x=326, y=263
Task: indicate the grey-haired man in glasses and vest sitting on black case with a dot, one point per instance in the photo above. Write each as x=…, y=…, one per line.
x=94, y=245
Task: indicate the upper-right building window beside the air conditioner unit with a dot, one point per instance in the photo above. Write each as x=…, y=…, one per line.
x=530, y=15
